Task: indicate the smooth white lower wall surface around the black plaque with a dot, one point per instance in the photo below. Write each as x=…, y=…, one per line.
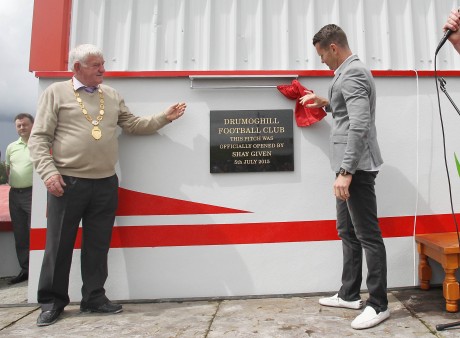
x=175, y=163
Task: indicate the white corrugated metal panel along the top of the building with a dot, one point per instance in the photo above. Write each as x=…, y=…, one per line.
x=142, y=35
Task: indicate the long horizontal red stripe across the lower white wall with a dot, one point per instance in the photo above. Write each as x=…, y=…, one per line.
x=251, y=233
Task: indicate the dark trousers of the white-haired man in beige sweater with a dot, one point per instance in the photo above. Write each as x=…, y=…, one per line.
x=93, y=202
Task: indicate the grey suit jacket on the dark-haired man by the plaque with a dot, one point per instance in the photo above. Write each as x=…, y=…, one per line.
x=352, y=99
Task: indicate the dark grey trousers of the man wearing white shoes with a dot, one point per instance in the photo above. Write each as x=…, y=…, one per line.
x=357, y=226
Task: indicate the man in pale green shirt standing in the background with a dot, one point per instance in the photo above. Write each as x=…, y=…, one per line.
x=19, y=170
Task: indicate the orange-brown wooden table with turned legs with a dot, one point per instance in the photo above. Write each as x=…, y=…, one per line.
x=444, y=249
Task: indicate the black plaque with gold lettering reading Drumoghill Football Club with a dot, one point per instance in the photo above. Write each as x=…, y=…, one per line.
x=251, y=141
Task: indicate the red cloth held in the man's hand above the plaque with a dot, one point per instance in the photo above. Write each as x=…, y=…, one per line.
x=303, y=116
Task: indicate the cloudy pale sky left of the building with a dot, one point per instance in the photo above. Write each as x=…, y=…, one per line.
x=18, y=86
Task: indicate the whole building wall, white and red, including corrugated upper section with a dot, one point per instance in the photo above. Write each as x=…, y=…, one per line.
x=285, y=241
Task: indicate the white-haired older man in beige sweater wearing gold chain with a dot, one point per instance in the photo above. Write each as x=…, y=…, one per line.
x=74, y=149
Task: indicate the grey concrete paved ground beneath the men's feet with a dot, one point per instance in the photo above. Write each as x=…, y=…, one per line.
x=414, y=313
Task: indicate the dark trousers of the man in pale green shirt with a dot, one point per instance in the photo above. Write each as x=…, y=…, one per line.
x=20, y=201
